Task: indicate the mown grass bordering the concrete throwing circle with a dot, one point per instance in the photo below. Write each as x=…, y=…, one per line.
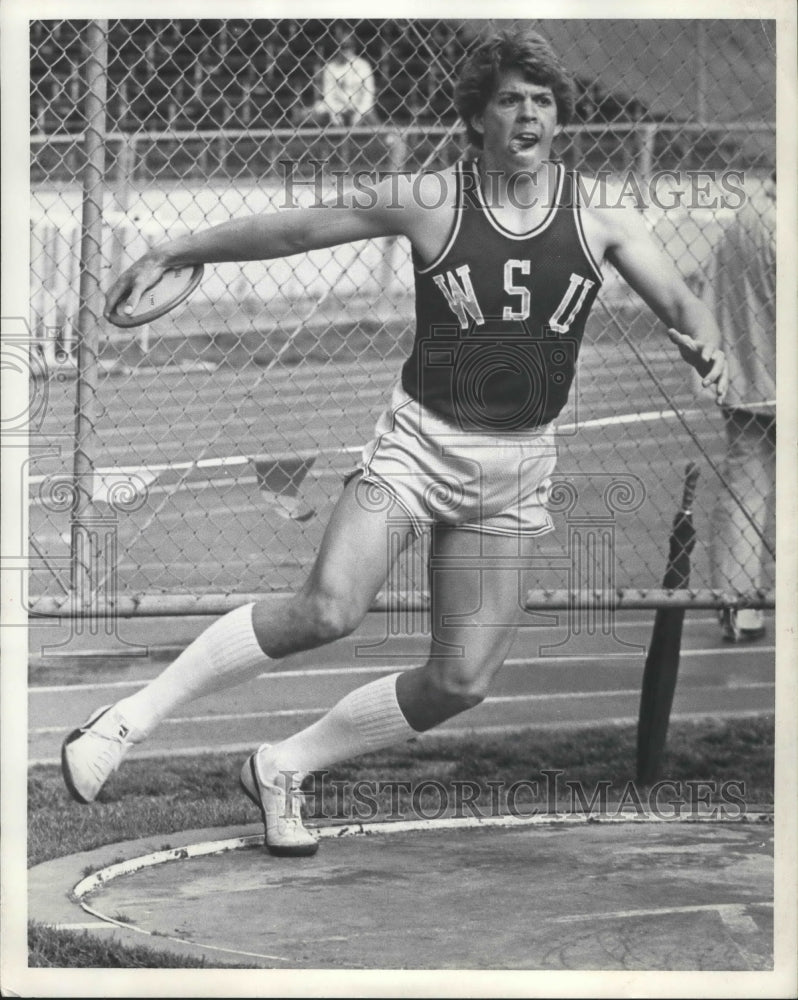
x=150, y=798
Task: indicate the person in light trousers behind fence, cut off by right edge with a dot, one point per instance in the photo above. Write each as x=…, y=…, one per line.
x=741, y=291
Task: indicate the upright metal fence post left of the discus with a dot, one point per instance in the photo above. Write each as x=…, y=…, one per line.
x=83, y=538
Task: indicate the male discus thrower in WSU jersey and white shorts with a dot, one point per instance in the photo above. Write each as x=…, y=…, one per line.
x=507, y=266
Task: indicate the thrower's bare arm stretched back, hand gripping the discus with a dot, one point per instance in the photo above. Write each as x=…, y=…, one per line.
x=265, y=237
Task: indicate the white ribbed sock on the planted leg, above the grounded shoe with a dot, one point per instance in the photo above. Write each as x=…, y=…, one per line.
x=368, y=718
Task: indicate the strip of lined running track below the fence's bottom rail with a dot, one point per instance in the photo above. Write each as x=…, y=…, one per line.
x=596, y=678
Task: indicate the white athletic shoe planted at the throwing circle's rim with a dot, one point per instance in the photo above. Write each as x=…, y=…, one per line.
x=280, y=804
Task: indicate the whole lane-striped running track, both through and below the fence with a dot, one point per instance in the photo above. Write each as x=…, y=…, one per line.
x=212, y=531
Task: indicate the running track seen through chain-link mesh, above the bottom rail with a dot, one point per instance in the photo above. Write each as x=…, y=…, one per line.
x=213, y=525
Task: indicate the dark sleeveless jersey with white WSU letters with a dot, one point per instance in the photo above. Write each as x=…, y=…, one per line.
x=500, y=316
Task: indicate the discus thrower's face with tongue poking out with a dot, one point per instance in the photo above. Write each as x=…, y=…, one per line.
x=519, y=121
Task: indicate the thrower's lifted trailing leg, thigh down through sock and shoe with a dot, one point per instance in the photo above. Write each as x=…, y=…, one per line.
x=352, y=565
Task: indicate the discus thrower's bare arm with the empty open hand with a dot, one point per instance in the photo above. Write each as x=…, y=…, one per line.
x=691, y=325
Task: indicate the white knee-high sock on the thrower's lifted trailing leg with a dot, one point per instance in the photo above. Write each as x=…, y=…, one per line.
x=225, y=654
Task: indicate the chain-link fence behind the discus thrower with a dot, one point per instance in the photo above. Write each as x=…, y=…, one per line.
x=200, y=455
